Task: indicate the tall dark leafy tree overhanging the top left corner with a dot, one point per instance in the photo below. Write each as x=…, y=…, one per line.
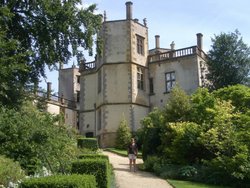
x=43, y=32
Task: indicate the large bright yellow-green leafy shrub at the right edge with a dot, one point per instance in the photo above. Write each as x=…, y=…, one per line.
x=231, y=154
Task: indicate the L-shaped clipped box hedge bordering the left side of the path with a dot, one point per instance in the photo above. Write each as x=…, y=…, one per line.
x=97, y=167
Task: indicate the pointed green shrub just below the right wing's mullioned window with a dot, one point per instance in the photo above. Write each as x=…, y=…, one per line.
x=178, y=106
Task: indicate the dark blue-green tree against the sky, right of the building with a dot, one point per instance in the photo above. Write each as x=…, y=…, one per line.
x=229, y=61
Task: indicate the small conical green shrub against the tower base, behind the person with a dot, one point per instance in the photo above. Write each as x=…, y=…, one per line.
x=123, y=135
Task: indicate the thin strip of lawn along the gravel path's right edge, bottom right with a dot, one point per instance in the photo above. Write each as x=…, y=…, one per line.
x=189, y=184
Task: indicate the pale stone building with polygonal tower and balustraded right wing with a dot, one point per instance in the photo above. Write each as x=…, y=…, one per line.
x=128, y=80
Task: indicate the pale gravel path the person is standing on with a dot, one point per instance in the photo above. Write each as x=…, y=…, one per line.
x=139, y=179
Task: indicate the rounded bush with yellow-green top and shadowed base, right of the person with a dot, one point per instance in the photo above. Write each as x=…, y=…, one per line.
x=180, y=143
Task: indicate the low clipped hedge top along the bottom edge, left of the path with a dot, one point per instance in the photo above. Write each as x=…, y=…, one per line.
x=61, y=181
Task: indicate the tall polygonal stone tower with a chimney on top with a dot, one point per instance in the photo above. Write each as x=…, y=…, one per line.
x=115, y=85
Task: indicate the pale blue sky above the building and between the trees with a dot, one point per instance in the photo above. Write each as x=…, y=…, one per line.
x=176, y=20
